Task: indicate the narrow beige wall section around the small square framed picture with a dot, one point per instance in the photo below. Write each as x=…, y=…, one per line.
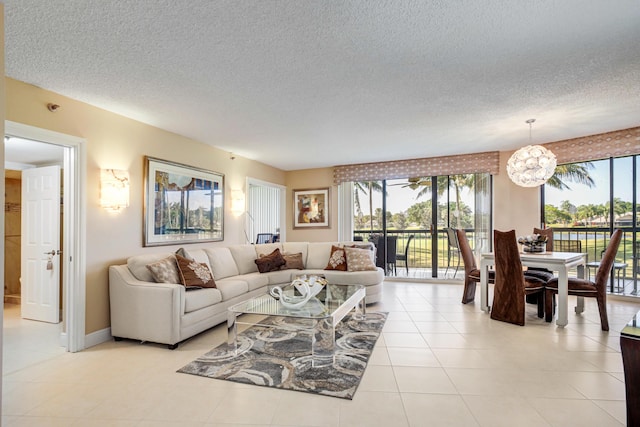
x=312, y=179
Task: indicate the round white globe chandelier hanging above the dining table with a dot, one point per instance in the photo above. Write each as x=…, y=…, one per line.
x=532, y=165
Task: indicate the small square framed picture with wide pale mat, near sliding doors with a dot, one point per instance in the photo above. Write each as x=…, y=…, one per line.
x=311, y=208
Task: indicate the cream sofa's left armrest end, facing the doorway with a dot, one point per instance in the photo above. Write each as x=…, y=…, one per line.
x=144, y=311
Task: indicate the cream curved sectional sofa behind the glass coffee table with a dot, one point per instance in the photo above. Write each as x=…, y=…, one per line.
x=168, y=313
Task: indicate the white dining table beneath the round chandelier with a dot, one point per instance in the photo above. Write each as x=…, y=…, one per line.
x=560, y=262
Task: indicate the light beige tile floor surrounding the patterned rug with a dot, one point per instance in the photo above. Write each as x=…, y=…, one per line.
x=438, y=363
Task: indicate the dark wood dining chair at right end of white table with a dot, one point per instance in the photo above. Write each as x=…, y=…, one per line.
x=586, y=288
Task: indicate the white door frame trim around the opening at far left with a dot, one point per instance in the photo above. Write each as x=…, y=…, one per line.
x=72, y=337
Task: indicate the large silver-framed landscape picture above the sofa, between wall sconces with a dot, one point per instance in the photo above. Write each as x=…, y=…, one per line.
x=182, y=204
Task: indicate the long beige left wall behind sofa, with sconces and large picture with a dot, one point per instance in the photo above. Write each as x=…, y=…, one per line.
x=117, y=142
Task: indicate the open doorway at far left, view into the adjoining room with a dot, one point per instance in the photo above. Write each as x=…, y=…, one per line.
x=31, y=336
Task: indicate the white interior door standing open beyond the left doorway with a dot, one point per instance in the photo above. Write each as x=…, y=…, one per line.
x=40, y=267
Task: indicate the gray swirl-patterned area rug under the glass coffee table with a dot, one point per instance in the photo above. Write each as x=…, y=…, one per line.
x=276, y=353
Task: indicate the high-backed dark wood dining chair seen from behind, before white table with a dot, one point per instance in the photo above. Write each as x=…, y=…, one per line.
x=511, y=286
